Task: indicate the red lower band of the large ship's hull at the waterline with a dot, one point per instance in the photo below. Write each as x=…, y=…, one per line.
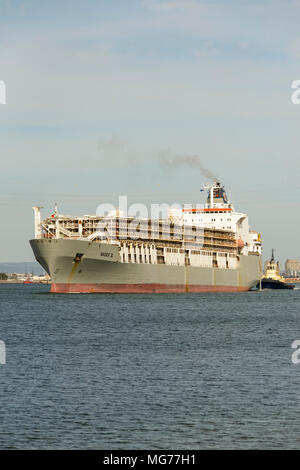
x=140, y=288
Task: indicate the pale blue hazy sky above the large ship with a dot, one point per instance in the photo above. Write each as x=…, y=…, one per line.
x=133, y=78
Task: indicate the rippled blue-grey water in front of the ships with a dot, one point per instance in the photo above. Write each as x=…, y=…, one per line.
x=195, y=371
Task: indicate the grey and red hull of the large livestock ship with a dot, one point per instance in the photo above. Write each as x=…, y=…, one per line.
x=80, y=266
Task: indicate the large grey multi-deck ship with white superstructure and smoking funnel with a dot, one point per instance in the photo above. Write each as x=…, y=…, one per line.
x=206, y=248
